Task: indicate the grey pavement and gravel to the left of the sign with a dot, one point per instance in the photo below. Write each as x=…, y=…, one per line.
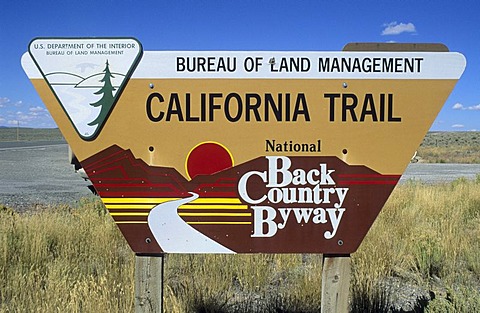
x=37, y=174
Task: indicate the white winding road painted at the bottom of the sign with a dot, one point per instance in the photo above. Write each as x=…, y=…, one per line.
x=174, y=235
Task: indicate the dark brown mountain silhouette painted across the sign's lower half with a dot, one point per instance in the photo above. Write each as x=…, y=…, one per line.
x=120, y=177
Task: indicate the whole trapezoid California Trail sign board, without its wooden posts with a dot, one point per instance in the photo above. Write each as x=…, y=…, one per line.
x=241, y=151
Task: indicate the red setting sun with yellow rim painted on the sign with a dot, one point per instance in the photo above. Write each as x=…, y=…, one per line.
x=207, y=158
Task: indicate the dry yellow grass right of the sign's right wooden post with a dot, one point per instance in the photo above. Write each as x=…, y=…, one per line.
x=428, y=236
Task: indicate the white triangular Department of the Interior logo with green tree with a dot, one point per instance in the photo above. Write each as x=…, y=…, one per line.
x=87, y=76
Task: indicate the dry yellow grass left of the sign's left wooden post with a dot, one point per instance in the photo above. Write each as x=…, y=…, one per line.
x=63, y=260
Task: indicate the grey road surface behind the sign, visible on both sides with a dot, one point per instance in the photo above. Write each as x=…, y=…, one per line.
x=38, y=173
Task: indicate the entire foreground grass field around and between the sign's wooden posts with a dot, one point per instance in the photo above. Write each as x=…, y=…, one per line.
x=426, y=242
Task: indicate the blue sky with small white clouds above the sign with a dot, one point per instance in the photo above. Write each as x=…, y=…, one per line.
x=240, y=25
